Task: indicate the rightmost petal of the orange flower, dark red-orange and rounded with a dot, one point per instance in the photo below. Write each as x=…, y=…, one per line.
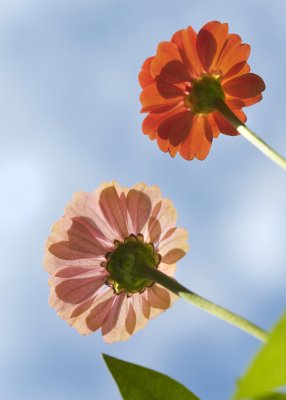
x=245, y=86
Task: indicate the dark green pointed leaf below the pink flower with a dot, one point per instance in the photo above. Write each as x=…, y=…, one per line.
x=136, y=382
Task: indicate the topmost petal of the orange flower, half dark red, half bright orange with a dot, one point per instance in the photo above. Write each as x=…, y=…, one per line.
x=210, y=42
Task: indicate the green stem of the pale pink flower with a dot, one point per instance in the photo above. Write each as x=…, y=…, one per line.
x=200, y=302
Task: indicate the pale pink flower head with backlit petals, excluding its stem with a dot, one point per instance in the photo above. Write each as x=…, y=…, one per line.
x=94, y=253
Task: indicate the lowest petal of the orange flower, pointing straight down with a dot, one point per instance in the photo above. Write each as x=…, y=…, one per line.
x=199, y=141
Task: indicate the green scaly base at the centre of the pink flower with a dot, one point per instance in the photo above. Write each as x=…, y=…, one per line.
x=126, y=261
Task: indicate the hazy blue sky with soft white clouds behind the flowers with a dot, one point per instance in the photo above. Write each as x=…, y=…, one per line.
x=69, y=120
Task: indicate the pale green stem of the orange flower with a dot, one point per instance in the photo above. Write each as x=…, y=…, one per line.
x=249, y=134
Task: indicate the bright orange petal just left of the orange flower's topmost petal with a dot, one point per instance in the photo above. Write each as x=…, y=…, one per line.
x=186, y=39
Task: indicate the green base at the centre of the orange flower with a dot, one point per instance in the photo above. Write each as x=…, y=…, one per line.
x=204, y=93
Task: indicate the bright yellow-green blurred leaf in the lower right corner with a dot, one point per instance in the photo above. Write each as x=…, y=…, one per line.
x=267, y=372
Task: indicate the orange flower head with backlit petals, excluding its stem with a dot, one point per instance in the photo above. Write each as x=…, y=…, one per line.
x=184, y=80
